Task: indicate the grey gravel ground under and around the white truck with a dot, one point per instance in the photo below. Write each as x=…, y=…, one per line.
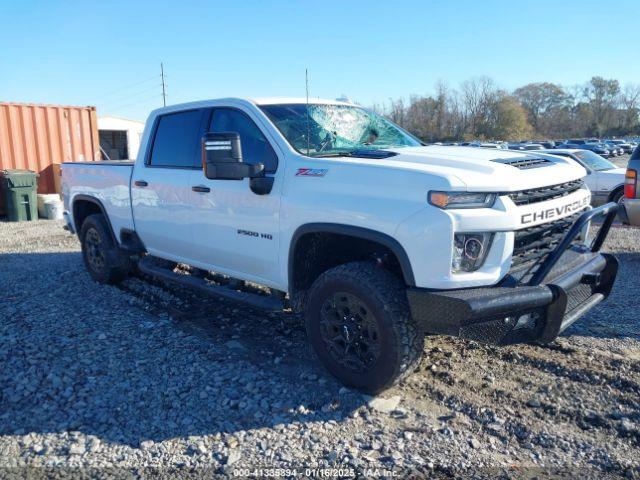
x=99, y=377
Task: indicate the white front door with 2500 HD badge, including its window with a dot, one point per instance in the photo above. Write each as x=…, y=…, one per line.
x=235, y=231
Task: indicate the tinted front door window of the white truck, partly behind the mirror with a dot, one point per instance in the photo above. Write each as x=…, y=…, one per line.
x=255, y=146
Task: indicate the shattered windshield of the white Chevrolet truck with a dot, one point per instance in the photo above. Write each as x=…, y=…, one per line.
x=324, y=130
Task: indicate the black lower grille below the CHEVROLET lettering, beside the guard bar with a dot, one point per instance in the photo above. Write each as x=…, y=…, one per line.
x=532, y=245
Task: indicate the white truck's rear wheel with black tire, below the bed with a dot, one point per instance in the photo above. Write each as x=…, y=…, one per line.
x=102, y=258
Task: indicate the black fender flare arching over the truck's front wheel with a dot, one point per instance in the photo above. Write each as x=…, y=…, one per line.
x=353, y=231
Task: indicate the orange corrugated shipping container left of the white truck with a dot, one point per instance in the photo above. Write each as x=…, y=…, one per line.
x=35, y=137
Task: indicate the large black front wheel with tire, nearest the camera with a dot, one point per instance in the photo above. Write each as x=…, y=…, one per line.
x=359, y=325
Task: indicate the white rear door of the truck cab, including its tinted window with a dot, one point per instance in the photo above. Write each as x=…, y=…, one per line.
x=161, y=191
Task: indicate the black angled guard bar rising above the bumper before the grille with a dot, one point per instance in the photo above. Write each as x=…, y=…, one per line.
x=609, y=212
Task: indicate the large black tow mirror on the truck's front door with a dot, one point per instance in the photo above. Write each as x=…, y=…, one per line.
x=222, y=158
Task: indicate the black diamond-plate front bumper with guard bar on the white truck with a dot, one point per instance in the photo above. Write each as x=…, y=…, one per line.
x=566, y=285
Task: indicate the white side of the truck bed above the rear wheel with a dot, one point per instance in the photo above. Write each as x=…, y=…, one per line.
x=106, y=181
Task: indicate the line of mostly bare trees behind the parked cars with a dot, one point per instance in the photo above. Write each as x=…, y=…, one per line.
x=479, y=109
